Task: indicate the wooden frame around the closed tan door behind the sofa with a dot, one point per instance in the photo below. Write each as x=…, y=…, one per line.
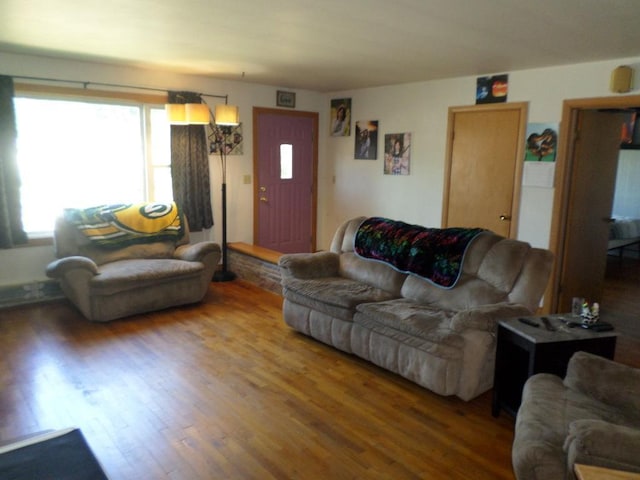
x=523, y=107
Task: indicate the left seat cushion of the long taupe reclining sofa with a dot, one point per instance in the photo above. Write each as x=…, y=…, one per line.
x=335, y=296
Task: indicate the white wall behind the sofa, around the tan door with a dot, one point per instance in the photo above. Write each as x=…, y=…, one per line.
x=421, y=108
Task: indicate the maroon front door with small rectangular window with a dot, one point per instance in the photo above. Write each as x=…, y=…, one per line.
x=285, y=172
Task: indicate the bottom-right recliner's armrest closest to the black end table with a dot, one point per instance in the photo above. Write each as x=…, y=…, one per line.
x=605, y=380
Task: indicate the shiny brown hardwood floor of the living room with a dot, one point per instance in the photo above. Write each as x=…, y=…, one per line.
x=225, y=390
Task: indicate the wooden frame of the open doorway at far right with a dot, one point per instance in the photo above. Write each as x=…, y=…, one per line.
x=563, y=181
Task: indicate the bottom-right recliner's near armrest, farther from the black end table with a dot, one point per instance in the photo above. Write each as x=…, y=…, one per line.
x=604, y=444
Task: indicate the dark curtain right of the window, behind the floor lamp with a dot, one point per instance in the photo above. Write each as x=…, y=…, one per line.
x=190, y=168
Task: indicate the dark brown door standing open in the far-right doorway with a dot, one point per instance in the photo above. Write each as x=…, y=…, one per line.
x=593, y=175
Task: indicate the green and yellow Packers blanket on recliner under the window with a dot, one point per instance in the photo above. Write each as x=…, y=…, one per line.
x=119, y=225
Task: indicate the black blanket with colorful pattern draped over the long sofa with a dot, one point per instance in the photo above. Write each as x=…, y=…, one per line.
x=432, y=253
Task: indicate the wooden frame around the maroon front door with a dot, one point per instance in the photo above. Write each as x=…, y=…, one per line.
x=257, y=111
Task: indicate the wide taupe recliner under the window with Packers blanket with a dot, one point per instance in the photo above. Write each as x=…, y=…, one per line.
x=119, y=278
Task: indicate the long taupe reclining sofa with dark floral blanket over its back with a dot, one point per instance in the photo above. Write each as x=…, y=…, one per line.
x=441, y=338
